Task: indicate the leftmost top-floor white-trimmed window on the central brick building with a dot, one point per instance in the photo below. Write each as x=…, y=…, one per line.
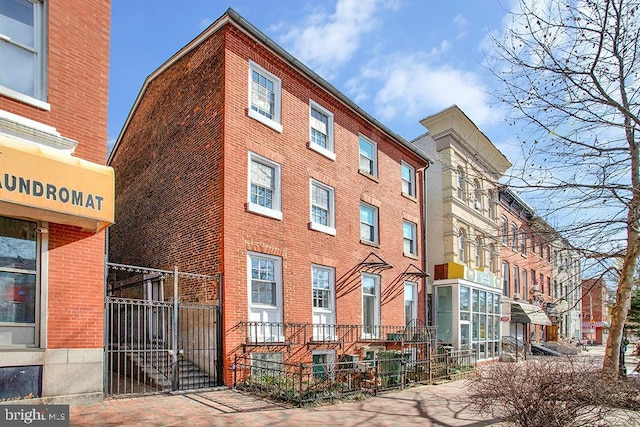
x=265, y=93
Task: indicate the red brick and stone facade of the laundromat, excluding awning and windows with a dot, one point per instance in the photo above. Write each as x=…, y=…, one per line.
x=71, y=271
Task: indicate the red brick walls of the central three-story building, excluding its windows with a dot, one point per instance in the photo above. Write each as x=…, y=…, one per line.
x=182, y=184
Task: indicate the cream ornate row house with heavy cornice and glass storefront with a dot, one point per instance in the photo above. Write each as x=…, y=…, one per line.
x=462, y=232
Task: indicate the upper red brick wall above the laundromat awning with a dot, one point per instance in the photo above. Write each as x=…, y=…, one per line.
x=78, y=75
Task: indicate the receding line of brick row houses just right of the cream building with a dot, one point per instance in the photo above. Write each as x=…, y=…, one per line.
x=540, y=273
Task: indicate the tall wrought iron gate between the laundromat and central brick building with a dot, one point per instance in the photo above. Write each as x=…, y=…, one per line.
x=162, y=330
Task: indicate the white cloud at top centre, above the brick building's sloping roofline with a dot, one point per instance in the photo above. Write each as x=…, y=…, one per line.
x=326, y=41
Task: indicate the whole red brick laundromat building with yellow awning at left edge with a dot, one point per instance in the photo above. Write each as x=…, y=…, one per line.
x=56, y=197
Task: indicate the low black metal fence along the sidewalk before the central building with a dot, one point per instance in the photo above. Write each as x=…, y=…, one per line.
x=303, y=383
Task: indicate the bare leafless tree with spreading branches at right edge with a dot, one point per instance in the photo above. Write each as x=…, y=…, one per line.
x=570, y=73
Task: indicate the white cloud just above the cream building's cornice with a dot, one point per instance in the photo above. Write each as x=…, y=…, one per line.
x=411, y=86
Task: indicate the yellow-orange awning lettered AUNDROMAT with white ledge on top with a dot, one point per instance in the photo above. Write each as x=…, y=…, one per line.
x=40, y=183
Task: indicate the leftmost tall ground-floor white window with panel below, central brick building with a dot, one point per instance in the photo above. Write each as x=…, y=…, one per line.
x=265, y=298
